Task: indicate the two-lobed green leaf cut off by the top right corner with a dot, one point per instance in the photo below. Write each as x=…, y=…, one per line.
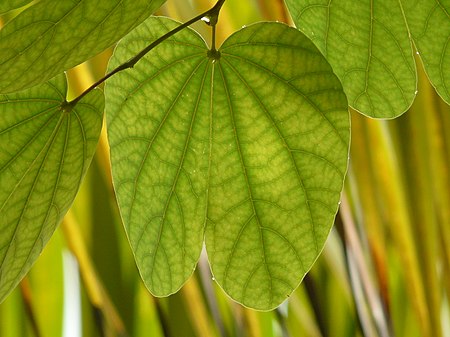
x=368, y=45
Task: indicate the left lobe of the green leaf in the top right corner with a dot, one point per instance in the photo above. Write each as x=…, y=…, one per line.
x=367, y=44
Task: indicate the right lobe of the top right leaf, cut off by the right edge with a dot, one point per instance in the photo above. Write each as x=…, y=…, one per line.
x=429, y=24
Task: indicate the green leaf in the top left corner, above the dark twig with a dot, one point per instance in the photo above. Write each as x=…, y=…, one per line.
x=53, y=36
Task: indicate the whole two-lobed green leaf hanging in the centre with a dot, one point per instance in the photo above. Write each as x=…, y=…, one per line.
x=250, y=148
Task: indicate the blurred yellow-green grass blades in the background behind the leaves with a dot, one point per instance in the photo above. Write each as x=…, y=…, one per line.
x=385, y=270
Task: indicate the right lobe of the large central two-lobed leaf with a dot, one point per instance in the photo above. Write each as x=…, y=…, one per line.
x=279, y=156
